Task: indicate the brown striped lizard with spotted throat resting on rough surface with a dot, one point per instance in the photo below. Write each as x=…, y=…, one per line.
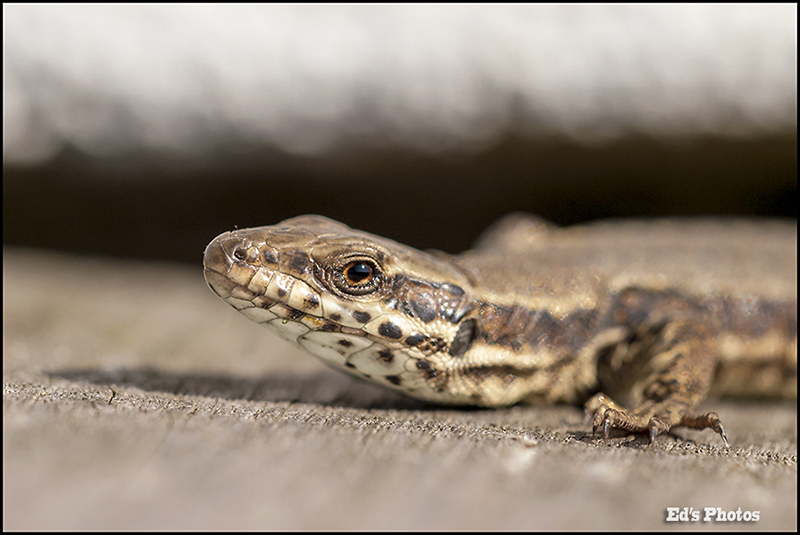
x=637, y=320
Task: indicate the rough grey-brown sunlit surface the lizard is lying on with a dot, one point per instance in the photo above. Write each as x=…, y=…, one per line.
x=133, y=398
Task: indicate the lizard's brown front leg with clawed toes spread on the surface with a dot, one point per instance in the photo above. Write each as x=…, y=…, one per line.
x=662, y=372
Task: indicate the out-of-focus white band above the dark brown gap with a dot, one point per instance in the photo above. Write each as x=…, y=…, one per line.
x=112, y=78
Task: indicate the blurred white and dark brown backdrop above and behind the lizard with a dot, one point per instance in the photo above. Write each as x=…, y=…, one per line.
x=146, y=130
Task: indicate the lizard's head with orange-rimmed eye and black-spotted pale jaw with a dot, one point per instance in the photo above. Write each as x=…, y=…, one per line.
x=362, y=303
